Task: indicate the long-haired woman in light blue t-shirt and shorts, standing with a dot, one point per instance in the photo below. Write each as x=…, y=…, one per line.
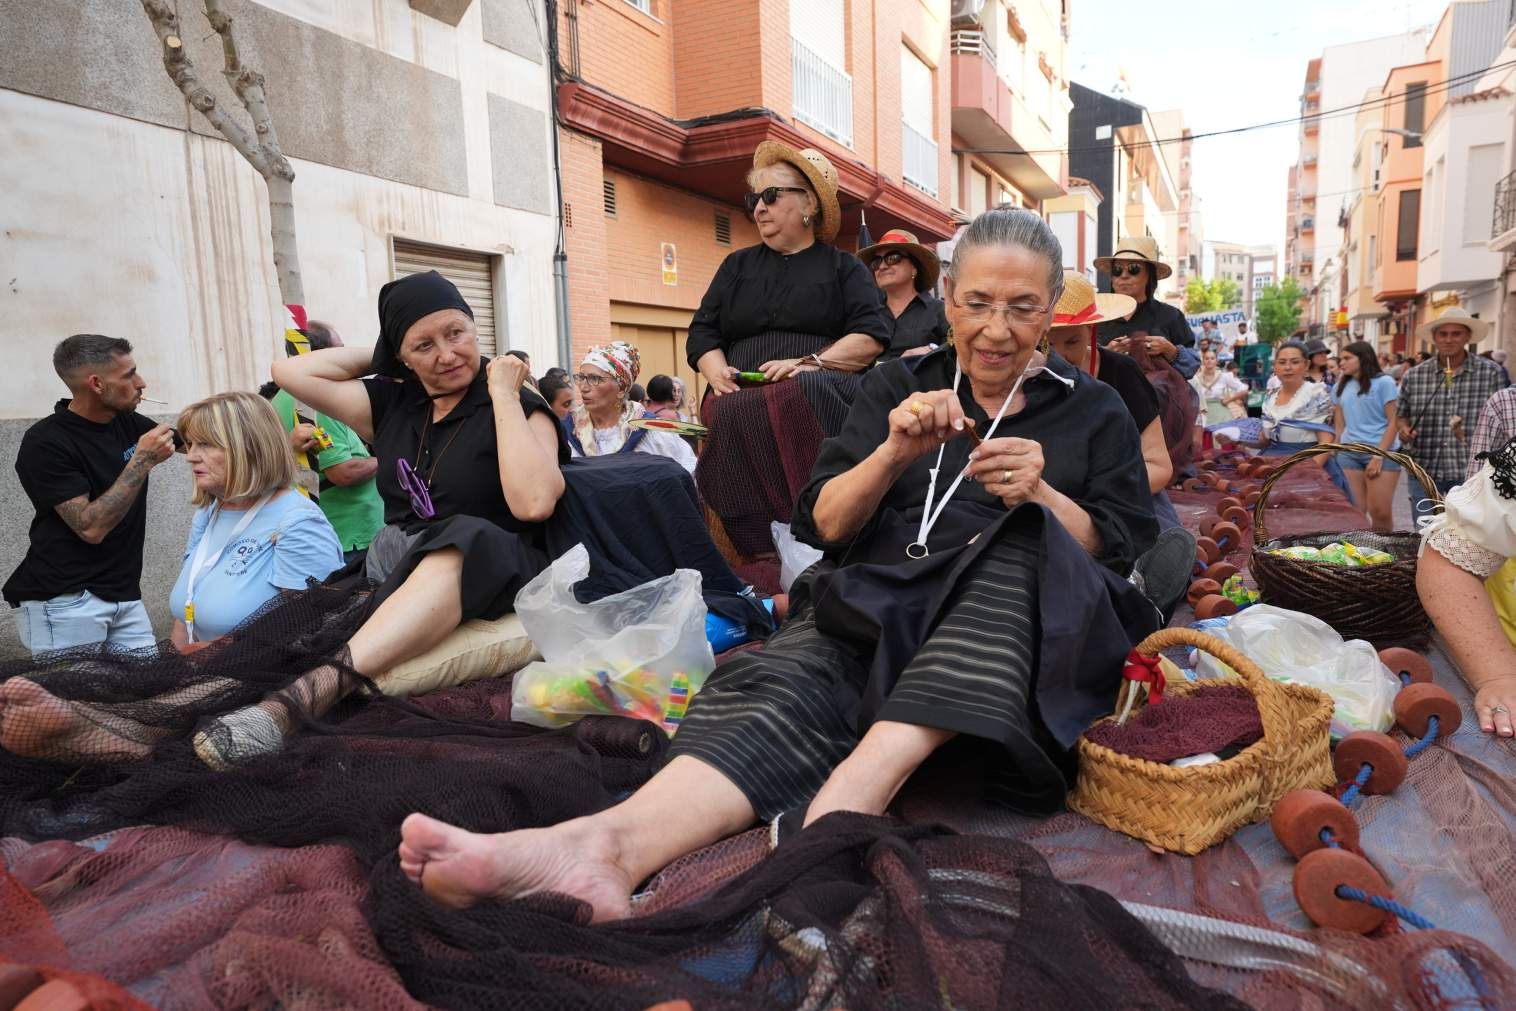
x=1364, y=412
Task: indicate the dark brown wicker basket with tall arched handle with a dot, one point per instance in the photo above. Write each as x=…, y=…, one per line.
x=1370, y=603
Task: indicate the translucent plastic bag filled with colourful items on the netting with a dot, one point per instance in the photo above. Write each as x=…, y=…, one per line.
x=641, y=654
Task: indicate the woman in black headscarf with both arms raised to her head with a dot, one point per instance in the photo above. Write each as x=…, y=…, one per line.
x=457, y=545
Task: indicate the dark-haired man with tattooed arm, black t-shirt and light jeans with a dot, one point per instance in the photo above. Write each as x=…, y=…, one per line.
x=86, y=472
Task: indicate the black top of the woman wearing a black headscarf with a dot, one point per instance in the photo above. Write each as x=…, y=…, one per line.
x=459, y=460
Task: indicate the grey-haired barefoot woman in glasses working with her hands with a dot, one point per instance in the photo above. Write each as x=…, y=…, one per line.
x=971, y=593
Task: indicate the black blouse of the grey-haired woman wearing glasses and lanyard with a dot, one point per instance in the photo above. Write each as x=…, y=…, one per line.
x=1092, y=454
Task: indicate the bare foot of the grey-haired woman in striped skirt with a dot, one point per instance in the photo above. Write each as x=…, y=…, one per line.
x=577, y=859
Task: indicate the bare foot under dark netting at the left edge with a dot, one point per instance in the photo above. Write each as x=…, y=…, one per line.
x=37, y=724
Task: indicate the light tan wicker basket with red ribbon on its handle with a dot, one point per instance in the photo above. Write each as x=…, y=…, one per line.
x=1188, y=810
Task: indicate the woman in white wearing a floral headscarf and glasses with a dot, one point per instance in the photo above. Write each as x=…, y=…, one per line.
x=600, y=425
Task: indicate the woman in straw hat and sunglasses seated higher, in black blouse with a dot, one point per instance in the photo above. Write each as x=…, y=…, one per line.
x=803, y=313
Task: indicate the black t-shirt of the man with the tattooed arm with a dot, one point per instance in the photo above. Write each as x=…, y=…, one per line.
x=61, y=459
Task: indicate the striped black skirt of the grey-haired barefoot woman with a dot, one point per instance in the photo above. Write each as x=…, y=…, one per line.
x=778, y=721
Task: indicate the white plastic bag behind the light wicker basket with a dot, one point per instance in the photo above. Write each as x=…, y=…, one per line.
x=1298, y=648
